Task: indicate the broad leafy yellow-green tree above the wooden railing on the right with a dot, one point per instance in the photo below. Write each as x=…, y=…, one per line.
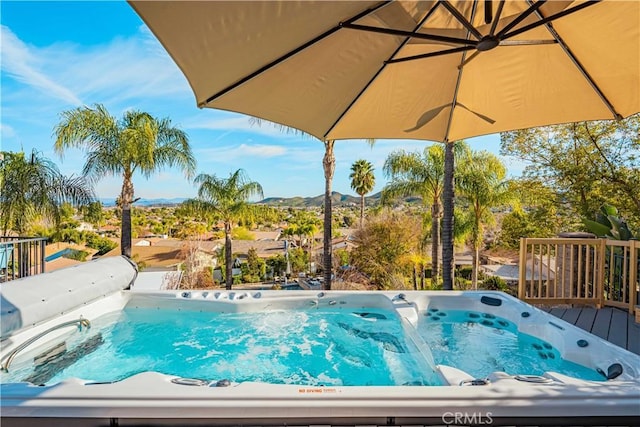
x=586, y=163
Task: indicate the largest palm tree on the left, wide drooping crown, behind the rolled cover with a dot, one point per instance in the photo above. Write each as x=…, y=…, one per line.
x=138, y=142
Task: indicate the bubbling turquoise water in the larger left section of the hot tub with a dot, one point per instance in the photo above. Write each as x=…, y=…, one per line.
x=325, y=347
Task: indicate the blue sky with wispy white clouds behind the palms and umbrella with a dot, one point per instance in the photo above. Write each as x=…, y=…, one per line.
x=57, y=56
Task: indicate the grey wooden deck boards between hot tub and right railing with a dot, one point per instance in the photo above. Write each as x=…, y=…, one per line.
x=614, y=325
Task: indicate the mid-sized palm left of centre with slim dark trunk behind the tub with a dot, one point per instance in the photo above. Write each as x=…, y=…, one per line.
x=226, y=199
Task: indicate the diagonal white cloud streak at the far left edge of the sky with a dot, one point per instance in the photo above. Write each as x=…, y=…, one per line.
x=19, y=61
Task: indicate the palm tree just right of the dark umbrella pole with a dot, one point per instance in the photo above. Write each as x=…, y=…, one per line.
x=481, y=183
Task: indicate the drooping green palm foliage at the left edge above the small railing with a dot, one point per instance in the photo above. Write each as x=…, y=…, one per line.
x=32, y=187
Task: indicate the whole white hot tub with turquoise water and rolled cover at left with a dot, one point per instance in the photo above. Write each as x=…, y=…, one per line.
x=298, y=357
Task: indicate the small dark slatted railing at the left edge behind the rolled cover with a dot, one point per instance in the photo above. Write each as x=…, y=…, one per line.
x=21, y=257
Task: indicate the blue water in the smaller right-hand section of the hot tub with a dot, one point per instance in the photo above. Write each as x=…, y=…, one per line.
x=482, y=343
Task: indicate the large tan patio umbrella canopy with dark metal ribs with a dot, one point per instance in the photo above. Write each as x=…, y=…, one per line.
x=429, y=70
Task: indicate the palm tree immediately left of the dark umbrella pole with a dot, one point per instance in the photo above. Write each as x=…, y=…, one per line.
x=421, y=174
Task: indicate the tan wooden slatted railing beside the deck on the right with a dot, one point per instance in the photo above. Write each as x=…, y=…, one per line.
x=599, y=272
